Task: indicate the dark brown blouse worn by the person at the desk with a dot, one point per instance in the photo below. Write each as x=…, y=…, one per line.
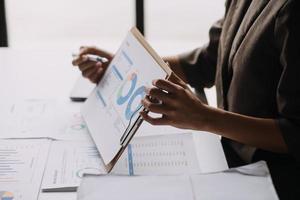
x=253, y=58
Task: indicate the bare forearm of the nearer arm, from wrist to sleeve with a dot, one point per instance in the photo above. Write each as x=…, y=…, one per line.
x=257, y=132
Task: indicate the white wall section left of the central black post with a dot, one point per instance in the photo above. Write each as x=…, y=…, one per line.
x=59, y=23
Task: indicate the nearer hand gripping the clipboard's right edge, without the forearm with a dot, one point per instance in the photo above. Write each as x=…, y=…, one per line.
x=178, y=105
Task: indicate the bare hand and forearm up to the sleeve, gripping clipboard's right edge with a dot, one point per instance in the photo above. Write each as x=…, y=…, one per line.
x=181, y=108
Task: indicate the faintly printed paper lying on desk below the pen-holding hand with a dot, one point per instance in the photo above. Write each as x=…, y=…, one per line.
x=40, y=118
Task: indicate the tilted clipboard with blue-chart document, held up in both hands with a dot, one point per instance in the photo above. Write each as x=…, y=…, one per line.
x=111, y=112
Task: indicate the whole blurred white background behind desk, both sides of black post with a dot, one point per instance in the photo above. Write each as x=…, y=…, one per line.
x=171, y=26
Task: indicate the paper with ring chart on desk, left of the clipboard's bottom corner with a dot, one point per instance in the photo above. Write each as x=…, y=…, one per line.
x=67, y=163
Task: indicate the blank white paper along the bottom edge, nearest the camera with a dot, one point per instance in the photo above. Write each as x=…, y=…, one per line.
x=217, y=186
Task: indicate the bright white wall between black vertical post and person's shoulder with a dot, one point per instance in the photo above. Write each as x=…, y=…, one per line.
x=181, y=24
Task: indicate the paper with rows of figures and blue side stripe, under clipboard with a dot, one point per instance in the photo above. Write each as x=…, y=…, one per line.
x=159, y=155
